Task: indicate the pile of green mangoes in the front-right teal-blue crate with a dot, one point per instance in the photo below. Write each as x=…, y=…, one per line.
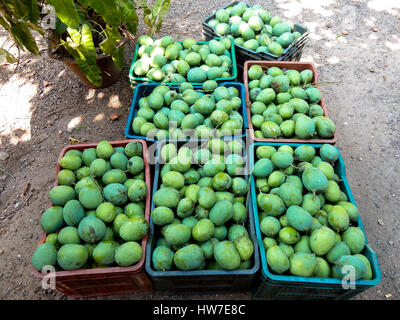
x=309, y=227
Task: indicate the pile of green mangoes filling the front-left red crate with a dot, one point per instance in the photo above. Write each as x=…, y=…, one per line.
x=97, y=215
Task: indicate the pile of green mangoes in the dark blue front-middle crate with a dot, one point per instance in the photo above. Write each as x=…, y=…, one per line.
x=200, y=209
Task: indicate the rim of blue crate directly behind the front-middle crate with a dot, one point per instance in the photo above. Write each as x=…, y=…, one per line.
x=133, y=111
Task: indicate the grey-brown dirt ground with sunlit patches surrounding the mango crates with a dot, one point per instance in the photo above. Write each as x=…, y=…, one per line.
x=353, y=43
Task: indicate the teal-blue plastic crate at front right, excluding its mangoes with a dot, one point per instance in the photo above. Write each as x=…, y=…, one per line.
x=275, y=286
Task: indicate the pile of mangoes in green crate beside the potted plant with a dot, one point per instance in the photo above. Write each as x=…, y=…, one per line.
x=164, y=60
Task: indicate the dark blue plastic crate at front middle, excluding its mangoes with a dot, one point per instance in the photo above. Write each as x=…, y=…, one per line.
x=200, y=281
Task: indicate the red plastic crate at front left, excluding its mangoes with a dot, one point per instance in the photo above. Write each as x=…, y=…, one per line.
x=105, y=281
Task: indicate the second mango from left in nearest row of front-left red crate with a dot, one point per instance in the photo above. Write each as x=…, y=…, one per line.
x=72, y=256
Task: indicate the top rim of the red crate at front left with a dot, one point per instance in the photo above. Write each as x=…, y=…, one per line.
x=136, y=268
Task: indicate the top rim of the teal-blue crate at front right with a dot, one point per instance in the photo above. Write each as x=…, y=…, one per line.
x=290, y=279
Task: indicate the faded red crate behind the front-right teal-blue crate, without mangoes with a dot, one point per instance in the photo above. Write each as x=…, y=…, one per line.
x=295, y=65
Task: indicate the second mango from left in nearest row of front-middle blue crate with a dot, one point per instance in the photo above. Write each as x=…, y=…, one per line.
x=190, y=257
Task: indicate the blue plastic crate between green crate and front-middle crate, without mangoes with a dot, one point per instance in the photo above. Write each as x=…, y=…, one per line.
x=144, y=89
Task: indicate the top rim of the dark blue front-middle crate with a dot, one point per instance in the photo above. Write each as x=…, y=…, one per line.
x=204, y=273
